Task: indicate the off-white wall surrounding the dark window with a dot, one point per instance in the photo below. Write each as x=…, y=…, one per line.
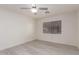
x=69, y=29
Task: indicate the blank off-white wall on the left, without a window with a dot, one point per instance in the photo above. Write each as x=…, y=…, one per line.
x=14, y=29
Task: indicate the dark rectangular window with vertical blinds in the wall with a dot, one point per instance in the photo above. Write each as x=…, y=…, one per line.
x=53, y=27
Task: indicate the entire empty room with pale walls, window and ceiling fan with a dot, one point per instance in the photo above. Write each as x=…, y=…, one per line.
x=39, y=29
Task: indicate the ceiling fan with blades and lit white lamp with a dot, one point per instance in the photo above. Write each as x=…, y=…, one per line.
x=34, y=9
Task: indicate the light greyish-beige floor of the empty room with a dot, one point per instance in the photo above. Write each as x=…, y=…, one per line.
x=38, y=47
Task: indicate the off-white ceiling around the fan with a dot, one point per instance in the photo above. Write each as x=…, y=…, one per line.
x=53, y=8
